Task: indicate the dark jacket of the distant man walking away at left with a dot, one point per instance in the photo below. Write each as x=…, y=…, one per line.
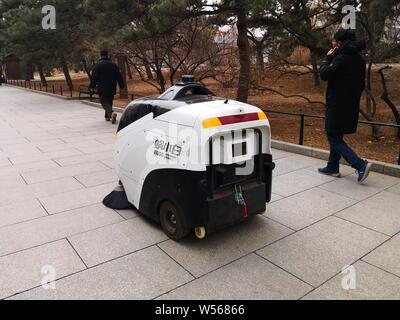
x=105, y=76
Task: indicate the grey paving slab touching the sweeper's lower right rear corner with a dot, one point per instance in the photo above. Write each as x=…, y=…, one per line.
x=306, y=208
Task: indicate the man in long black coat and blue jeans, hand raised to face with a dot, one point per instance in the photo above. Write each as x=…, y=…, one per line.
x=345, y=70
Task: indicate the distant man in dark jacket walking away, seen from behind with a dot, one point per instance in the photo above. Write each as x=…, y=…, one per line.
x=105, y=76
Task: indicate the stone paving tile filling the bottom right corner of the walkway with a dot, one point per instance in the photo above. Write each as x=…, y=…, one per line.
x=371, y=284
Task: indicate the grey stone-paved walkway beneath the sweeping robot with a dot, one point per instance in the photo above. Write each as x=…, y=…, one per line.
x=56, y=166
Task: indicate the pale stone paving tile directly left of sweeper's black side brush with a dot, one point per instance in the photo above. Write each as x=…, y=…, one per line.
x=76, y=199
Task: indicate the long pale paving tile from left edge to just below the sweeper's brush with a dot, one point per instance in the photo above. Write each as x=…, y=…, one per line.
x=55, y=227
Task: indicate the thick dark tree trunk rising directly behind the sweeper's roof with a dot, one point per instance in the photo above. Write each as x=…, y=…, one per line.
x=244, y=53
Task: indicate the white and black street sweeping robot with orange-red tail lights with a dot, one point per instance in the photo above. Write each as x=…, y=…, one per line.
x=192, y=161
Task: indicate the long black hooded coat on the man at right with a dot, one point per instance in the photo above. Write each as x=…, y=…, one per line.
x=345, y=73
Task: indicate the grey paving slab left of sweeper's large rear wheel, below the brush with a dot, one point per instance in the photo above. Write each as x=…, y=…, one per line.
x=113, y=241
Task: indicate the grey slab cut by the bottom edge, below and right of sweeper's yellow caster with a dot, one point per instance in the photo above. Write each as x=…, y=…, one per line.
x=250, y=278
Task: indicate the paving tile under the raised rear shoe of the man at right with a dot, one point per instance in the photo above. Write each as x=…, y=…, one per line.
x=349, y=187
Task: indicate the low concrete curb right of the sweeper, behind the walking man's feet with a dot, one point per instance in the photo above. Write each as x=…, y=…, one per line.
x=379, y=167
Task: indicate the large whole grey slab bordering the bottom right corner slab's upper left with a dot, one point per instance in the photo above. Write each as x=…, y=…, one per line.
x=318, y=252
